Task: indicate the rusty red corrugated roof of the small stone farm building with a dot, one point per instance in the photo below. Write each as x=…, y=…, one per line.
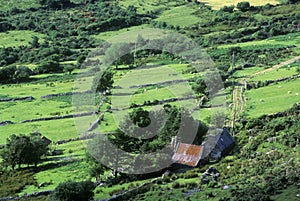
x=187, y=154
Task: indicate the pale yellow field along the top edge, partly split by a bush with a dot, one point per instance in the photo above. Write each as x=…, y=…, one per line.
x=217, y=4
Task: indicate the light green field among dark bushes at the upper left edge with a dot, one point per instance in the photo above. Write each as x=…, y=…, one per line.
x=18, y=38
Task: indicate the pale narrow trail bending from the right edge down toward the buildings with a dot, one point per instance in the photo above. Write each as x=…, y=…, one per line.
x=238, y=98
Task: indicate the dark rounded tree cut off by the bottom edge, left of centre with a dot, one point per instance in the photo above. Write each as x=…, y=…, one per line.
x=74, y=191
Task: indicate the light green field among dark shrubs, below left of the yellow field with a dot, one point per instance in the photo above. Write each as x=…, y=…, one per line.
x=179, y=16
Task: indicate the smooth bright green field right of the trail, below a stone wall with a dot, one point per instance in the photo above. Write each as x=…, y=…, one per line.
x=272, y=99
